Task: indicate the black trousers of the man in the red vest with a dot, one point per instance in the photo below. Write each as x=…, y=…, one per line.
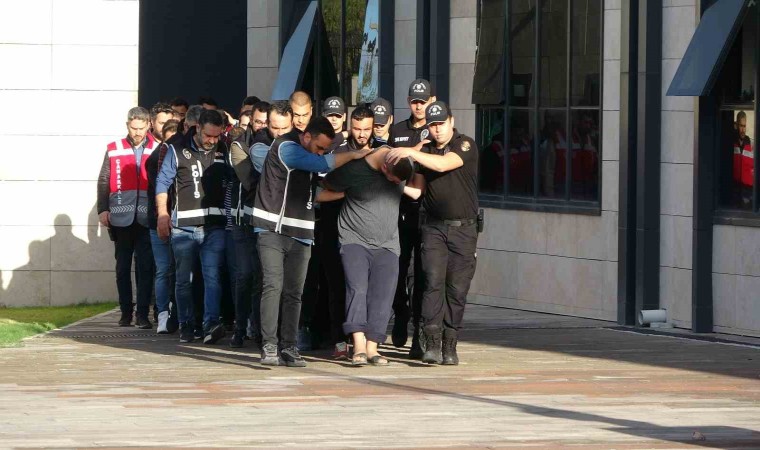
x=133, y=242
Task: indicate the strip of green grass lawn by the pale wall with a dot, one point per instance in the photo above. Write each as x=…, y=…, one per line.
x=18, y=323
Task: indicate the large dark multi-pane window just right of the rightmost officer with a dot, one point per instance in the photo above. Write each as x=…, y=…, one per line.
x=553, y=127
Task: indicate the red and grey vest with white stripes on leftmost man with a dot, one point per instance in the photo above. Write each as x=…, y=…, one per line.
x=128, y=196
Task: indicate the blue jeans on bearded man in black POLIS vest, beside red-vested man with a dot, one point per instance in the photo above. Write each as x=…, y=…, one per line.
x=188, y=246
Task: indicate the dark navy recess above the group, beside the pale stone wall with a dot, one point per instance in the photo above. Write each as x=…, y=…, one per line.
x=193, y=48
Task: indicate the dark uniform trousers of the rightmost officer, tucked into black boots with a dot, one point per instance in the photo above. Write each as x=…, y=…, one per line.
x=449, y=259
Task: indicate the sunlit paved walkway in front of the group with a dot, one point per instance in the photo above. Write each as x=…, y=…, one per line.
x=527, y=381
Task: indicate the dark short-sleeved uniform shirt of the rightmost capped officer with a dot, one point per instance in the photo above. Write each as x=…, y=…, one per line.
x=454, y=194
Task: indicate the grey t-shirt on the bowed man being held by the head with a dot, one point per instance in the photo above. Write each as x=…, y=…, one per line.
x=369, y=216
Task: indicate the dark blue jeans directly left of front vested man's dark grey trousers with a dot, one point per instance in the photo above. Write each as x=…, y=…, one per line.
x=247, y=279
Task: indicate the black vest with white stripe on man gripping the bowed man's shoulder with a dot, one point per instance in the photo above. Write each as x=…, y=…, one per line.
x=284, y=201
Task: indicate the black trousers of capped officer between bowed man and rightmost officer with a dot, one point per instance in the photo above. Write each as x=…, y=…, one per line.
x=408, y=299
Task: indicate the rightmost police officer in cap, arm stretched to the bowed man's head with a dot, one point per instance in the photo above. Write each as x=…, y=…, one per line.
x=449, y=174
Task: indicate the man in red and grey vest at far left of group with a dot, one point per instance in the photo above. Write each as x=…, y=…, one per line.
x=123, y=209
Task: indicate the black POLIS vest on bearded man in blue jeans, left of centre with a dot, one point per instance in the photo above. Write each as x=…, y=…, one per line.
x=199, y=184
